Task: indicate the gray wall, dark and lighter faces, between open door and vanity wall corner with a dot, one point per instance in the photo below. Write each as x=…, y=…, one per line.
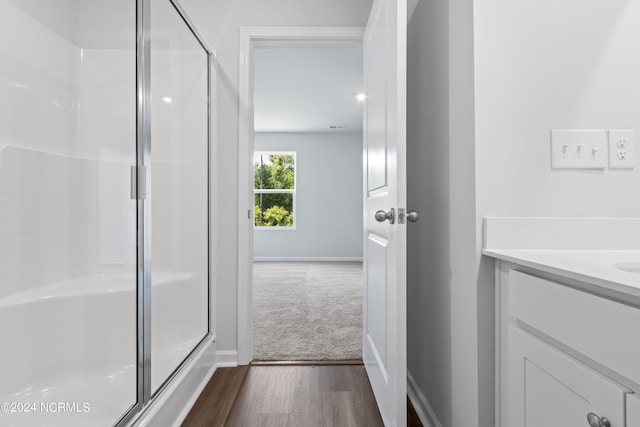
x=450, y=312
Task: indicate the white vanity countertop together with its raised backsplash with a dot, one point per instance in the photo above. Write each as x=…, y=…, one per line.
x=589, y=250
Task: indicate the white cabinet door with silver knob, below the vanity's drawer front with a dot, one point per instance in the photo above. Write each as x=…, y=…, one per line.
x=548, y=388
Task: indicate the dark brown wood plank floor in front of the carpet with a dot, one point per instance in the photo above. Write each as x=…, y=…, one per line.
x=327, y=395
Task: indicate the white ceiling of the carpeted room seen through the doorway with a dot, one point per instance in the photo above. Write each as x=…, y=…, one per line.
x=308, y=87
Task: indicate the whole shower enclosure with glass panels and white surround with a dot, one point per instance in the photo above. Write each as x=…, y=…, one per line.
x=104, y=178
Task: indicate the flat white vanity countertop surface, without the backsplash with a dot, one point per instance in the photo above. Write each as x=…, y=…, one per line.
x=594, y=267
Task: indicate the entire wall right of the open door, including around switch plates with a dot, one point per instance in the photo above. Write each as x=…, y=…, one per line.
x=514, y=71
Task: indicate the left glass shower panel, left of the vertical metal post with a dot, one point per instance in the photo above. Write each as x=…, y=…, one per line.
x=67, y=221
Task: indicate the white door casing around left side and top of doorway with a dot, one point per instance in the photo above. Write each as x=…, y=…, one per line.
x=248, y=37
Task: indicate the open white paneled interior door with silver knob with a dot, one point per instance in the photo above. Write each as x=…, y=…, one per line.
x=384, y=320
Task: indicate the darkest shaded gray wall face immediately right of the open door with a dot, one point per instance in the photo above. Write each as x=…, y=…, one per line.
x=428, y=256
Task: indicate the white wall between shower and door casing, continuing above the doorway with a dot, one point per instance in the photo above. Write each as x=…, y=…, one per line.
x=220, y=22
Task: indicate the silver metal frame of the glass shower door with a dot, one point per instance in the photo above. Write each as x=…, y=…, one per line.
x=144, y=395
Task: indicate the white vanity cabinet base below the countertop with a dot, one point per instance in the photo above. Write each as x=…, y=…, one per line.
x=567, y=356
